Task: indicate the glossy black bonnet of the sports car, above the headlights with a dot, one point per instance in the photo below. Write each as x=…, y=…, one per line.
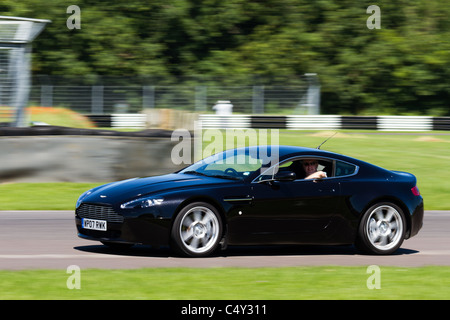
x=139, y=187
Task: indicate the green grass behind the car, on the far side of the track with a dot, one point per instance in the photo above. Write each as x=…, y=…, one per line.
x=426, y=156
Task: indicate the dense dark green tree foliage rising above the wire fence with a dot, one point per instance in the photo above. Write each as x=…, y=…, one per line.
x=401, y=68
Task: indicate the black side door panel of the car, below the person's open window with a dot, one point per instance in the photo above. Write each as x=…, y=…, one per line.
x=281, y=212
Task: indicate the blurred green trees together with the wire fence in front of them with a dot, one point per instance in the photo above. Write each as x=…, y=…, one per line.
x=136, y=54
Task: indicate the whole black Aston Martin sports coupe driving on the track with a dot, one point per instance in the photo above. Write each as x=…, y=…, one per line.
x=238, y=198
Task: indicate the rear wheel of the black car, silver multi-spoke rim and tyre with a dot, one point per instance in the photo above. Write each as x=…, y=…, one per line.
x=382, y=229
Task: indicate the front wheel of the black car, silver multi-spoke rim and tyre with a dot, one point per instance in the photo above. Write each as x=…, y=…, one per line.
x=197, y=230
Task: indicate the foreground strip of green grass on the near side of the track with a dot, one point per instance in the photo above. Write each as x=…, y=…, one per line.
x=328, y=282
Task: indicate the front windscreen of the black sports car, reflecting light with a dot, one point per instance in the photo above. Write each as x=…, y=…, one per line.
x=235, y=164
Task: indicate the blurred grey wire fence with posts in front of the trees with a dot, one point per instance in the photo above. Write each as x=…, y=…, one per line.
x=106, y=95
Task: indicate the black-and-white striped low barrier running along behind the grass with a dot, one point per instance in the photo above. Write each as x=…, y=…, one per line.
x=293, y=122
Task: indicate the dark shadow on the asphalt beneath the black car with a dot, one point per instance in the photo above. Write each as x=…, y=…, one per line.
x=237, y=251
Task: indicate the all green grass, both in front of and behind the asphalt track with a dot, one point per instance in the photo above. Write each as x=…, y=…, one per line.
x=423, y=155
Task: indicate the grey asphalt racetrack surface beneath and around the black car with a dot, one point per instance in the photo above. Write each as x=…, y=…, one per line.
x=48, y=240
